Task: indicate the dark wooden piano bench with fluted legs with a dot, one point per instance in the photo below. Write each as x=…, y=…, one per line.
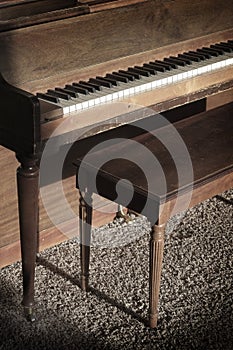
x=158, y=174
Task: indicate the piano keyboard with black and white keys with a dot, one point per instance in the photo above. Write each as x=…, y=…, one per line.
x=138, y=79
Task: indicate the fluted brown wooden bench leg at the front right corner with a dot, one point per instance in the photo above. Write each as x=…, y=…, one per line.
x=156, y=258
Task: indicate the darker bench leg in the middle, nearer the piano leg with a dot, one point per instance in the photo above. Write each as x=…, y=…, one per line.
x=85, y=220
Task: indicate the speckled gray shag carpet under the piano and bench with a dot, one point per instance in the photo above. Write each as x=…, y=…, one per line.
x=196, y=296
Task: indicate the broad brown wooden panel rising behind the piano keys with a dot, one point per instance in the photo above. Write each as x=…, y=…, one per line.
x=64, y=46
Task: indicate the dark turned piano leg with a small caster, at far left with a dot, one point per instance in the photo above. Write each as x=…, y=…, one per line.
x=28, y=191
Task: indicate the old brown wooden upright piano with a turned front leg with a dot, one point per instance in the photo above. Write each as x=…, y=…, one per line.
x=62, y=60
